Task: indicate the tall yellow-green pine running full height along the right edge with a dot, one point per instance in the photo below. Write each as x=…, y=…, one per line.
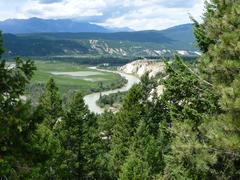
x=221, y=66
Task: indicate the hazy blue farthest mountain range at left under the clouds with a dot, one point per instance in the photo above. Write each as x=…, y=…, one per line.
x=36, y=25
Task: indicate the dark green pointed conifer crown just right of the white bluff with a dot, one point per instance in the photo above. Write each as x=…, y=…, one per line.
x=187, y=95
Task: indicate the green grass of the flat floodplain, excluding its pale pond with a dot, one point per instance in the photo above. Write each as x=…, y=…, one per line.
x=103, y=81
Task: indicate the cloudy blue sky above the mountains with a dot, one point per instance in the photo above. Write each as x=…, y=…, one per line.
x=134, y=14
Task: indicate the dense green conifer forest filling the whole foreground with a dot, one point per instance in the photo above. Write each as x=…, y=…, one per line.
x=190, y=132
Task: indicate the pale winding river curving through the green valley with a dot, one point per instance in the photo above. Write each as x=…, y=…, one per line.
x=91, y=99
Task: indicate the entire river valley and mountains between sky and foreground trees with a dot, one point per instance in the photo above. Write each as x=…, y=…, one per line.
x=66, y=56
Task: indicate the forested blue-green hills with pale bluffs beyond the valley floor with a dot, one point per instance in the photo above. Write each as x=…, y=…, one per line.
x=178, y=39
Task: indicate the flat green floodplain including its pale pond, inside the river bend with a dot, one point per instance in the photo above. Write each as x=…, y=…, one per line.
x=71, y=77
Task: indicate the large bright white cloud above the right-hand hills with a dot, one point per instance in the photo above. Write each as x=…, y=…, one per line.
x=152, y=15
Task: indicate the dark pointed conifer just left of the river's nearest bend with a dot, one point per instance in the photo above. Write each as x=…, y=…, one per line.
x=77, y=133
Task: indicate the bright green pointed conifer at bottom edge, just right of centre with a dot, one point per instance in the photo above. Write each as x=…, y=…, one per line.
x=143, y=160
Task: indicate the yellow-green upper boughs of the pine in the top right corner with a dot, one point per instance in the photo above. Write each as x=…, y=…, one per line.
x=220, y=63
